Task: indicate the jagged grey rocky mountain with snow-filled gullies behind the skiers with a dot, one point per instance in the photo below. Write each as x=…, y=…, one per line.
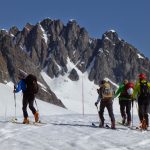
x=50, y=47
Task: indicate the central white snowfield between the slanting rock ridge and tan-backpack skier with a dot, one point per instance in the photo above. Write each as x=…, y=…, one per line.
x=74, y=94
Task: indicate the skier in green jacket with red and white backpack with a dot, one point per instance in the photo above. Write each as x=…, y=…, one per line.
x=125, y=92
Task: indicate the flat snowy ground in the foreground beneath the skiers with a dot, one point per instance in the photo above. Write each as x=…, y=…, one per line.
x=70, y=132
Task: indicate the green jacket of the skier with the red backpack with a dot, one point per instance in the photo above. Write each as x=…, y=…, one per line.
x=120, y=92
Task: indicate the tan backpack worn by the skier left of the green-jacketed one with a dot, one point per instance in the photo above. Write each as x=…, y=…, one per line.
x=106, y=92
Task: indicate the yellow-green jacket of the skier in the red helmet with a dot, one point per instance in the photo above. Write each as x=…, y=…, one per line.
x=136, y=92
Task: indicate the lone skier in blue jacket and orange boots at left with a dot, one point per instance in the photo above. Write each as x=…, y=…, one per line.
x=29, y=88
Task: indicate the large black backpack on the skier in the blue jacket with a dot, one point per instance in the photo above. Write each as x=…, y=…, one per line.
x=31, y=84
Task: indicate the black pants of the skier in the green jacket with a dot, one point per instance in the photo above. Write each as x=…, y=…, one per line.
x=125, y=109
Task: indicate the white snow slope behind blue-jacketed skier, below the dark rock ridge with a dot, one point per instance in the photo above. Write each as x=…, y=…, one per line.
x=7, y=104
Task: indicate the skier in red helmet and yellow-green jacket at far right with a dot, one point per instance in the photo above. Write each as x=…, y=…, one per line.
x=142, y=93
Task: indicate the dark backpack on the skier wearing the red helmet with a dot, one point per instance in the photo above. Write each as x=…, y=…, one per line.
x=144, y=90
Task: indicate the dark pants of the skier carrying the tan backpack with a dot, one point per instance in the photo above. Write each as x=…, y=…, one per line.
x=109, y=105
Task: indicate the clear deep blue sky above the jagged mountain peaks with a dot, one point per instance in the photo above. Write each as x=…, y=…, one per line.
x=129, y=18
